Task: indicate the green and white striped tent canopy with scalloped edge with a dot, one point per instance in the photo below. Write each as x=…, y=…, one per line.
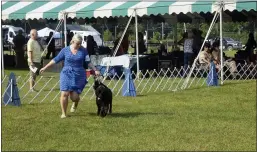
x=86, y=9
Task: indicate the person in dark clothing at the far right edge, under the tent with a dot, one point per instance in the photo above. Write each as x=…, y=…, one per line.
x=250, y=46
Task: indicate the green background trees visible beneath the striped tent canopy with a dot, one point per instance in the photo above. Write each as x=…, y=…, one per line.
x=238, y=31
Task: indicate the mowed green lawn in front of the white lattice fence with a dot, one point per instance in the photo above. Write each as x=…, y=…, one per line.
x=214, y=119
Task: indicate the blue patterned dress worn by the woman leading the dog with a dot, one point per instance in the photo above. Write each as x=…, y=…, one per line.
x=72, y=76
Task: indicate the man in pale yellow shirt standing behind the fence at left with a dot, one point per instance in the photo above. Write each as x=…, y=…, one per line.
x=34, y=56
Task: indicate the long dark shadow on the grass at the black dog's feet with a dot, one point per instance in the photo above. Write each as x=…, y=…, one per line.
x=132, y=114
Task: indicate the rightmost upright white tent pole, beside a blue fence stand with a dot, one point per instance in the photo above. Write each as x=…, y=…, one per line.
x=221, y=44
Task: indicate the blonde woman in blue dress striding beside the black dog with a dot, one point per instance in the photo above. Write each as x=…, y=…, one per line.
x=72, y=76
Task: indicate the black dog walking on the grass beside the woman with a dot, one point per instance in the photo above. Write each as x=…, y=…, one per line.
x=103, y=99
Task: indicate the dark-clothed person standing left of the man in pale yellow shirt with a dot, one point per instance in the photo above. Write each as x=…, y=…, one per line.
x=19, y=43
